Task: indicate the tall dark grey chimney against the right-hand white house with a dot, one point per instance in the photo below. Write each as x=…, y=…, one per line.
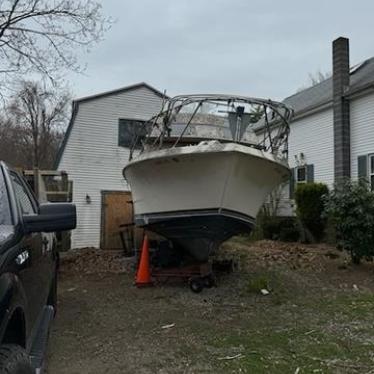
x=340, y=78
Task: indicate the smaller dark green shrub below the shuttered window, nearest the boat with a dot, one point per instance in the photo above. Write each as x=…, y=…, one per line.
x=309, y=203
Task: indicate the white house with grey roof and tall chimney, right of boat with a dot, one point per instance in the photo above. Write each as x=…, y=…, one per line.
x=332, y=132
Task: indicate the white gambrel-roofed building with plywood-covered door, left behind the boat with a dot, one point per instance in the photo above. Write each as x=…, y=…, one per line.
x=94, y=151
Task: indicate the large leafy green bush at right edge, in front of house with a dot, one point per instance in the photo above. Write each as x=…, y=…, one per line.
x=350, y=207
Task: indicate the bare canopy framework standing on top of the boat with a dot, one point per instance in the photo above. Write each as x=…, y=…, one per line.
x=273, y=123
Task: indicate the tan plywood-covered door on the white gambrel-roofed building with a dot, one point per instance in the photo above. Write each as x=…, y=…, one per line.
x=117, y=210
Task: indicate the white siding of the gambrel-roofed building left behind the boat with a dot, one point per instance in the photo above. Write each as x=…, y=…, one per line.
x=93, y=159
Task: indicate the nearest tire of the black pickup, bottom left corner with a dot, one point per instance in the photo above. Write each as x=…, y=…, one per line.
x=14, y=360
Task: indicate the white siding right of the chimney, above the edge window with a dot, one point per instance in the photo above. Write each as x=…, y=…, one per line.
x=362, y=130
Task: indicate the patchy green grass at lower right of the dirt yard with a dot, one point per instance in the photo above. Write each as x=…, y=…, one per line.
x=305, y=325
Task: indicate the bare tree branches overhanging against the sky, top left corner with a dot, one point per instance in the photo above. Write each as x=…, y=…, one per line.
x=43, y=36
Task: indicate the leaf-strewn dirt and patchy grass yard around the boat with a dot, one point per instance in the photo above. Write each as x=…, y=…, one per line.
x=317, y=317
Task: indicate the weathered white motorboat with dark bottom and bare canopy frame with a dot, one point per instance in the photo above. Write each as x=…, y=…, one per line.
x=201, y=169
